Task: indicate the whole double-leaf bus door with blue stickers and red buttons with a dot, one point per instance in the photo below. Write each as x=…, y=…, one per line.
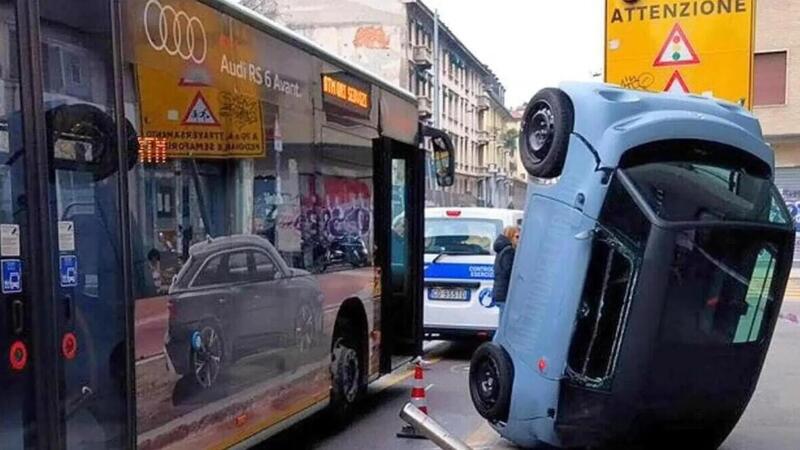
x=62, y=303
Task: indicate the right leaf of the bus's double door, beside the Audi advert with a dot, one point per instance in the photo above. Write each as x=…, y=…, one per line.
x=87, y=251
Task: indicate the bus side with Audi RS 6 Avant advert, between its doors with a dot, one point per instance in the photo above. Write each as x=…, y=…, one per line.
x=252, y=224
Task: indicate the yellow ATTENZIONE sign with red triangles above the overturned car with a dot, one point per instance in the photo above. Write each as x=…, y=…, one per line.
x=702, y=46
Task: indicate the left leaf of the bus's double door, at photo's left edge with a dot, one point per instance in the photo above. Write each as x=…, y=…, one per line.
x=17, y=416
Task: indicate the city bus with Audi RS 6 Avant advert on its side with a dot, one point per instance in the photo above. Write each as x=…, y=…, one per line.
x=195, y=215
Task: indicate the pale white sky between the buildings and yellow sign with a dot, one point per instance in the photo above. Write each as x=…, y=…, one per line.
x=529, y=44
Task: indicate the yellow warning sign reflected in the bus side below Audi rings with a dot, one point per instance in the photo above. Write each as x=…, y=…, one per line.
x=193, y=120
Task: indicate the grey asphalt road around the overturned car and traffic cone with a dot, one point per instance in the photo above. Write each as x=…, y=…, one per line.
x=771, y=422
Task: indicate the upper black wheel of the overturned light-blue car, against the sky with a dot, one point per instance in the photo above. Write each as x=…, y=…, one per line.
x=546, y=128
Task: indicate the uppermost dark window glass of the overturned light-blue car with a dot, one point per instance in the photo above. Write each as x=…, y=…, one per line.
x=688, y=192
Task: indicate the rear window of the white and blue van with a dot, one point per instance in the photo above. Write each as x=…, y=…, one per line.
x=461, y=236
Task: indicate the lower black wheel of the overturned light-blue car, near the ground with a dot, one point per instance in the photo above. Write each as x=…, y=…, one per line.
x=491, y=376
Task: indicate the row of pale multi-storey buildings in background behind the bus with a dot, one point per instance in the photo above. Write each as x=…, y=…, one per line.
x=404, y=42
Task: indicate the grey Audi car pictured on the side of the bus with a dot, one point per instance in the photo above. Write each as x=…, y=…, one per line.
x=234, y=297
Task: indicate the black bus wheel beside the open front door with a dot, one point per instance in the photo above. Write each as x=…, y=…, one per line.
x=346, y=371
